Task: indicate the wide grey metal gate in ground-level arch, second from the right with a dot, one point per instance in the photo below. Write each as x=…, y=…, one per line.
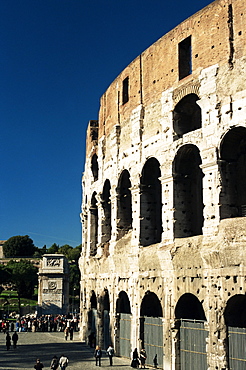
x=193, y=353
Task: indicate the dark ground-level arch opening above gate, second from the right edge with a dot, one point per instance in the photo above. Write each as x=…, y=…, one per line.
x=189, y=307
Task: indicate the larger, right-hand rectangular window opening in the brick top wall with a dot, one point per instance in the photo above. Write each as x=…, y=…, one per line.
x=185, y=58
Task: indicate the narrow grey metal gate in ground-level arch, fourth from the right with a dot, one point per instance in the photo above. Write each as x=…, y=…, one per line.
x=125, y=335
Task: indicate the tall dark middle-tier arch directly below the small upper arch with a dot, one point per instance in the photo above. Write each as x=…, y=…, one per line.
x=188, y=194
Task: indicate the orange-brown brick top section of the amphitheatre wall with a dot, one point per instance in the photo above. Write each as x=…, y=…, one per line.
x=215, y=34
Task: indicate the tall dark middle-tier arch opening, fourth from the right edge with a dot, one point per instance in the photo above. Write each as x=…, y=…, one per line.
x=124, y=204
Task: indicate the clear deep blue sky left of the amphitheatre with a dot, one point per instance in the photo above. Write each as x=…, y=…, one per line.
x=57, y=58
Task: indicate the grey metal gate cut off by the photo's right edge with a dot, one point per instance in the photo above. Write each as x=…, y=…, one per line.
x=237, y=345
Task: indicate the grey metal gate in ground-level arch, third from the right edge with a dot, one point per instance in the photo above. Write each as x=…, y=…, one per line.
x=151, y=334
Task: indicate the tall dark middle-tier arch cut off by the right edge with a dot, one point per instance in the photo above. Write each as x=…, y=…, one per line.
x=233, y=173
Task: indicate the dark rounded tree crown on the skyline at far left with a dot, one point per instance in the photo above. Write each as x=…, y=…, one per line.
x=18, y=246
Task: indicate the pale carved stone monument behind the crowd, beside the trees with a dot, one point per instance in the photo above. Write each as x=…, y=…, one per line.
x=53, y=285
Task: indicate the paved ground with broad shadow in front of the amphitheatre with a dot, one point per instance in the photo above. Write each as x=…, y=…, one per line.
x=45, y=345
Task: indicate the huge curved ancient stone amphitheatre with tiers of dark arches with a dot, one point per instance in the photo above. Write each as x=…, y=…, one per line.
x=163, y=263
